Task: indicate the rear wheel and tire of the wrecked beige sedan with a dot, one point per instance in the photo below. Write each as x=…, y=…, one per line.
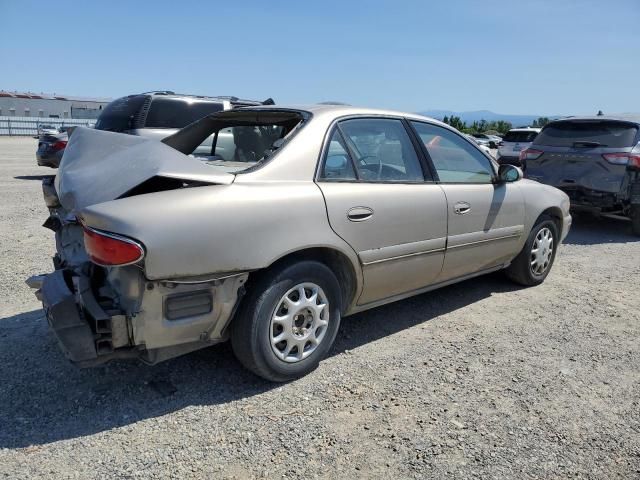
x=274, y=308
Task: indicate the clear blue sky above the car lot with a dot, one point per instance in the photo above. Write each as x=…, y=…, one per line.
x=520, y=57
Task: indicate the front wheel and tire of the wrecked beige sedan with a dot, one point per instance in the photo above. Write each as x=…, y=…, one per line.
x=522, y=270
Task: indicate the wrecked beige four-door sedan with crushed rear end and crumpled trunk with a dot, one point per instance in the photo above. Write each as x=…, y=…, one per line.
x=308, y=215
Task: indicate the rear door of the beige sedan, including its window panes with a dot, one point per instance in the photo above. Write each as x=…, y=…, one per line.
x=383, y=202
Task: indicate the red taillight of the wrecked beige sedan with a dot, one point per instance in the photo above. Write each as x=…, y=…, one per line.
x=108, y=249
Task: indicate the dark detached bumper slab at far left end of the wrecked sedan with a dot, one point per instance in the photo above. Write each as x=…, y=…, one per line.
x=66, y=320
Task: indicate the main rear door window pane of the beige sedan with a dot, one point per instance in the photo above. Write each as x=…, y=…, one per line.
x=381, y=150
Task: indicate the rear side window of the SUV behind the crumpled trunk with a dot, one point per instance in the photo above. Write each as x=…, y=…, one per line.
x=178, y=113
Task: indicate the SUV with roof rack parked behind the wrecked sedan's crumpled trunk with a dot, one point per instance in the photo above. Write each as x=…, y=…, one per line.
x=159, y=114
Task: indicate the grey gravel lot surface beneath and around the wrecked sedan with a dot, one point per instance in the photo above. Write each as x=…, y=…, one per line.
x=477, y=380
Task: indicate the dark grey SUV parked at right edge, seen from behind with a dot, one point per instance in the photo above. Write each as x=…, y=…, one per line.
x=595, y=160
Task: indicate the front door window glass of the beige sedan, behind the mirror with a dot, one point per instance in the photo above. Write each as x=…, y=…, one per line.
x=455, y=159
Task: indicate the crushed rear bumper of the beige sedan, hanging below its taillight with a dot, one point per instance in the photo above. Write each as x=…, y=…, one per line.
x=175, y=318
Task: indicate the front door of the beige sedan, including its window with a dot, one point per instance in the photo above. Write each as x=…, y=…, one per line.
x=486, y=219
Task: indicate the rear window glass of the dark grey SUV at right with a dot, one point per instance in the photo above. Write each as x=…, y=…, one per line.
x=604, y=133
